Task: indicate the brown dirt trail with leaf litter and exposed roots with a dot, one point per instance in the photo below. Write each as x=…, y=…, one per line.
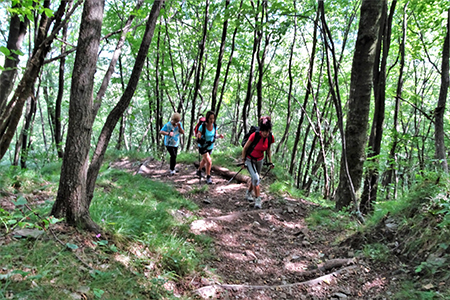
x=268, y=253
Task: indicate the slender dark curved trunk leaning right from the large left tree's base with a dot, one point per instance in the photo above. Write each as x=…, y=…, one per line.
x=124, y=102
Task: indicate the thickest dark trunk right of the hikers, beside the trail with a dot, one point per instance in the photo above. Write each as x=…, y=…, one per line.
x=353, y=154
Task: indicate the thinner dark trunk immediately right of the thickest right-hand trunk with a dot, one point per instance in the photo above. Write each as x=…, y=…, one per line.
x=369, y=194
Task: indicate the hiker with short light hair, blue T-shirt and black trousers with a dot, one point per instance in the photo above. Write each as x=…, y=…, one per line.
x=171, y=131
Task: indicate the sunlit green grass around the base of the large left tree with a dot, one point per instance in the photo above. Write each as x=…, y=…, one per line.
x=147, y=242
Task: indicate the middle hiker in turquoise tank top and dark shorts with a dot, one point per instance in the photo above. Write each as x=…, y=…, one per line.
x=207, y=134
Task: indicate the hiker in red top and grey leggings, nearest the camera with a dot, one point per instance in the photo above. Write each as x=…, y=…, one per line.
x=254, y=160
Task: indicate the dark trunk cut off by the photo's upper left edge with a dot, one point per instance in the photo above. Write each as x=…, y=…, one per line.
x=17, y=32
